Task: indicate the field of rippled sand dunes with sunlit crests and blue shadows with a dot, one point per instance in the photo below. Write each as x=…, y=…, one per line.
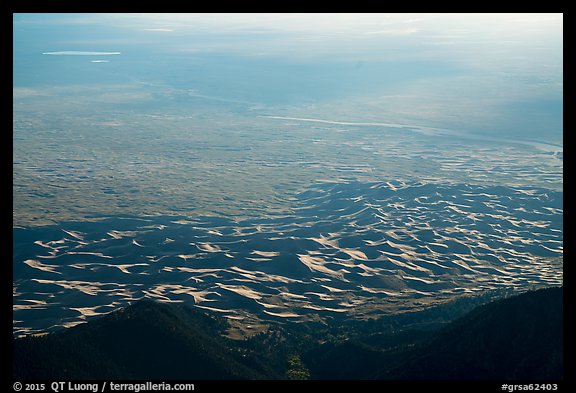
x=350, y=250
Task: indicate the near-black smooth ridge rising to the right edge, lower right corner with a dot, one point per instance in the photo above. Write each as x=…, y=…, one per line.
x=516, y=338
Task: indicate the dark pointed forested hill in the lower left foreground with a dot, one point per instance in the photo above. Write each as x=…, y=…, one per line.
x=147, y=340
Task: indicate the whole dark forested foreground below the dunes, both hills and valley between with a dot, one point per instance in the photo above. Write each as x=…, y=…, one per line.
x=519, y=337
